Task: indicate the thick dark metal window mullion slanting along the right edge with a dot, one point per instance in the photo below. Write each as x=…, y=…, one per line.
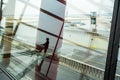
x=112, y=54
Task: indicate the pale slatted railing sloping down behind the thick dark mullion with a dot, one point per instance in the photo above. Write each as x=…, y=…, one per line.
x=86, y=69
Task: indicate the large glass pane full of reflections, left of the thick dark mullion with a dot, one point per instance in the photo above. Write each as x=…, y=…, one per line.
x=79, y=53
